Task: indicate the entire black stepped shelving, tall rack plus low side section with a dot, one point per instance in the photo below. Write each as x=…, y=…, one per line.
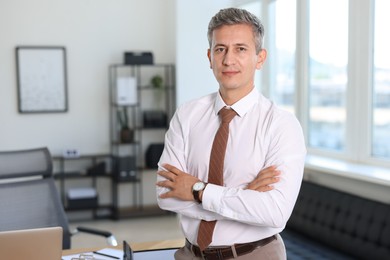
x=132, y=156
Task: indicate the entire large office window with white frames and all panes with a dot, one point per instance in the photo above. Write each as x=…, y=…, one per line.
x=344, y=113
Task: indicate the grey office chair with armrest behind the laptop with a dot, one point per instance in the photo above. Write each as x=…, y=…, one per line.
x=29, y=197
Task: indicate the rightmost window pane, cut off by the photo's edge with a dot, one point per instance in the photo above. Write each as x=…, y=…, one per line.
x=381, y=82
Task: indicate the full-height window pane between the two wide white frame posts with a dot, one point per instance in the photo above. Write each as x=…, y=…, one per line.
x=328, y=58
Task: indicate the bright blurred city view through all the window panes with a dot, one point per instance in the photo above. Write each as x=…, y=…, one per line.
x=328, y=71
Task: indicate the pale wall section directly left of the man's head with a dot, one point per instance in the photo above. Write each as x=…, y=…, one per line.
x=194, y=76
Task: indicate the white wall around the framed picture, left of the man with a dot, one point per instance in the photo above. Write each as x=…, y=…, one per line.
x=96, y=34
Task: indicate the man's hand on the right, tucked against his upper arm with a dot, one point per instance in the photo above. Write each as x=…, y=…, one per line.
x=264, y=180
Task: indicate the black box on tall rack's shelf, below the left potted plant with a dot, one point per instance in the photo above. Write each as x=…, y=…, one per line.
x=124, y=168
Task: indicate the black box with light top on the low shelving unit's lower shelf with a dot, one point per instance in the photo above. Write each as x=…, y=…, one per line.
x=82, y=198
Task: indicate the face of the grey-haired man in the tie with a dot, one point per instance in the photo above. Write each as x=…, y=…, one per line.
x=233, y=57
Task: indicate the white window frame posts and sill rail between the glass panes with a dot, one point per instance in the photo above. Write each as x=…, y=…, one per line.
x=360, y=84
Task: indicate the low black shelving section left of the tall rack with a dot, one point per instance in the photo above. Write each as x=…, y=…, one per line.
x=79, y=175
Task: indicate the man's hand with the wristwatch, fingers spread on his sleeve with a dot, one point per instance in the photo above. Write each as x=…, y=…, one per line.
x=179, y=183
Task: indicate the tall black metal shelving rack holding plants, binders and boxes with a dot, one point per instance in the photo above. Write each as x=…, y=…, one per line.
x=142, y=102
